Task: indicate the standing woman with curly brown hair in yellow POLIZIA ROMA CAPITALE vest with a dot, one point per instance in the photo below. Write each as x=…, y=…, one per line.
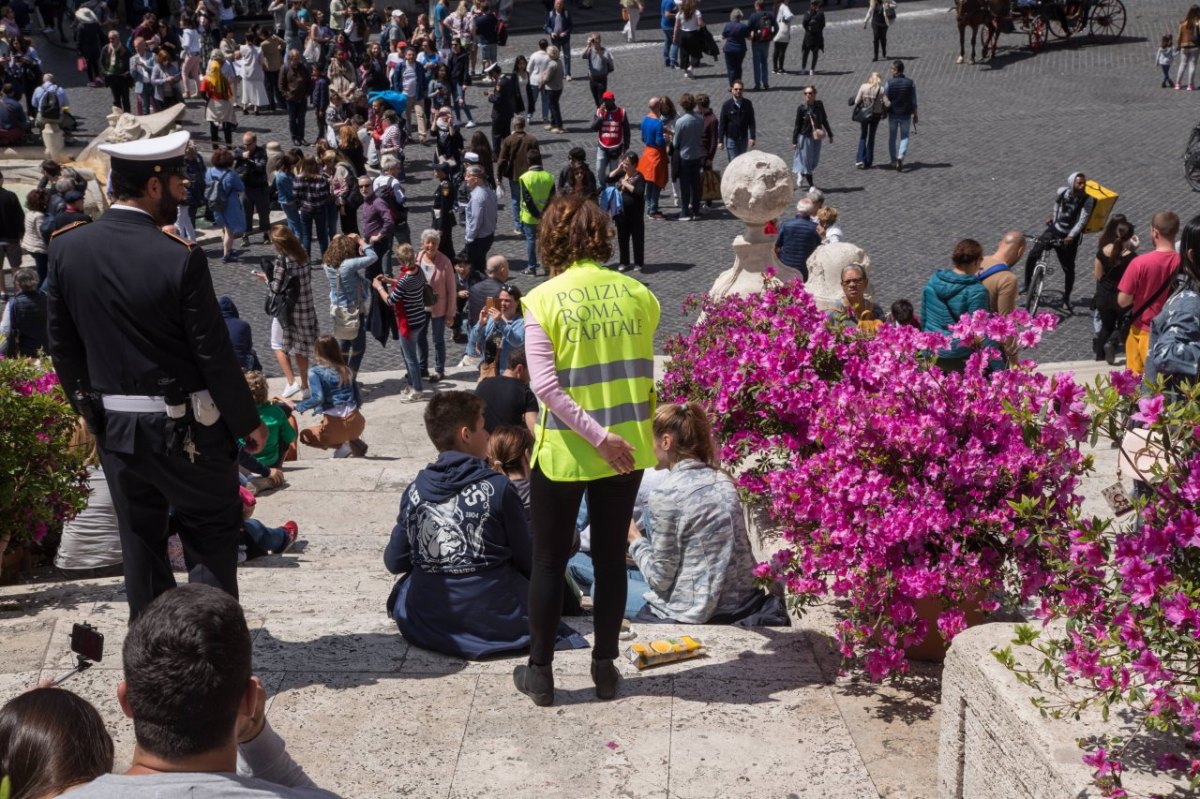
x=590, y=343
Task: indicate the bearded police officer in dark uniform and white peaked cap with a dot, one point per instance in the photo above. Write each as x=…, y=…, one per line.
x=143, y=355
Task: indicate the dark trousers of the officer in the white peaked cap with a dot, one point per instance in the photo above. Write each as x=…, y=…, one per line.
x=146, y=483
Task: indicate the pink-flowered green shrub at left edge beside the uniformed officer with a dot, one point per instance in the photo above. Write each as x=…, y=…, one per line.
x=43, y=482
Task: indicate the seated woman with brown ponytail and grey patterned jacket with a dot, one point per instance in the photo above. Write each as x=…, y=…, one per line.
x=697, y=555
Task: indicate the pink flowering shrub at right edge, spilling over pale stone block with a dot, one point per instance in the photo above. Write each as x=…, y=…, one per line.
x=1131, y=594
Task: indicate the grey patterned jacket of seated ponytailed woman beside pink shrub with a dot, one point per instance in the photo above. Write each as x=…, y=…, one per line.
x=697, y=557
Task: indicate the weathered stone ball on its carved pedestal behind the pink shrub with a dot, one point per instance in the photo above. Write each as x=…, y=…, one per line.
x=757, y=188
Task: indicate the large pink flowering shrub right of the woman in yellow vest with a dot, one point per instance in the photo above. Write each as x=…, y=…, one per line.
x=892, y=482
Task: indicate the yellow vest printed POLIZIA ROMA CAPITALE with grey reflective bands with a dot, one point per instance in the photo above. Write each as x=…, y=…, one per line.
x=602, y=325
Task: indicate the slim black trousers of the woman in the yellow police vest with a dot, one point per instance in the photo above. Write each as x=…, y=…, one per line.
x=554, y=507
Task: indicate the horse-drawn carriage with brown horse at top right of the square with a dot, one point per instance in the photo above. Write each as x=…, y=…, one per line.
x=1039, y=20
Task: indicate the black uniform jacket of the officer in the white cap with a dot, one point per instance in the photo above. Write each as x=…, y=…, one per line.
x=143, y=311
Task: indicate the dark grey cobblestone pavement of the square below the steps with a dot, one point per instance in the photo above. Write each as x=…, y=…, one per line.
x=995, y=142
